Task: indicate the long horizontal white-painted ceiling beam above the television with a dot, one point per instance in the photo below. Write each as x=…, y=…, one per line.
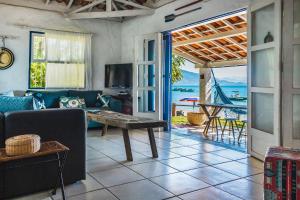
x=111, y=14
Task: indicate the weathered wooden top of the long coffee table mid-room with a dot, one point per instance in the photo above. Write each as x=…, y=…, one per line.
x=124, y=121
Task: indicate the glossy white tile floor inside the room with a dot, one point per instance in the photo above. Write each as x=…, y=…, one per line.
x=188, y=168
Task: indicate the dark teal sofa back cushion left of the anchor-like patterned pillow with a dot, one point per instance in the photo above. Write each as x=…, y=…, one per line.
x=90, y=96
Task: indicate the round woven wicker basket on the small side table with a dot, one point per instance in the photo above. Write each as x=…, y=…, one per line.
x=22, y=144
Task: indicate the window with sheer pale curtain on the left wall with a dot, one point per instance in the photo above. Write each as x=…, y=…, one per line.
x=57, y=60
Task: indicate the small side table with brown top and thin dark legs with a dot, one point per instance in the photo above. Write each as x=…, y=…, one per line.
x=47, y=148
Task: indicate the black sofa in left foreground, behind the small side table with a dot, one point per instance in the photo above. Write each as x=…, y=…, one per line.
x=67, y=126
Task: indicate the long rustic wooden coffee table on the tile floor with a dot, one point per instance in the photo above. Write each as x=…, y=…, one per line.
x=127, y=122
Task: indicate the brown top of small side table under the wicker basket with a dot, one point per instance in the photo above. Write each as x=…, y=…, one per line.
x=47, y=148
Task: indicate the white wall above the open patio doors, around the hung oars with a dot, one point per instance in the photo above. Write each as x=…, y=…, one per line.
x=155, y=23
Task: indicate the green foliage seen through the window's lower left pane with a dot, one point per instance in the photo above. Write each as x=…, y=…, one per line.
x=37, y=75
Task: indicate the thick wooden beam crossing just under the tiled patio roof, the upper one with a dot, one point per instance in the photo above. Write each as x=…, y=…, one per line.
x=212, y=37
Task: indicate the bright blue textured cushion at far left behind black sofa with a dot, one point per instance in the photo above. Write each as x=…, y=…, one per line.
x=8, y=104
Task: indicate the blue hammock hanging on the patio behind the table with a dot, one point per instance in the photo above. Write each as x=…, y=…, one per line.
x=221, y=98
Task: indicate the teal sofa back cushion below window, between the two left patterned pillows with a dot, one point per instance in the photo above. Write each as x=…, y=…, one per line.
x=51, y=98
